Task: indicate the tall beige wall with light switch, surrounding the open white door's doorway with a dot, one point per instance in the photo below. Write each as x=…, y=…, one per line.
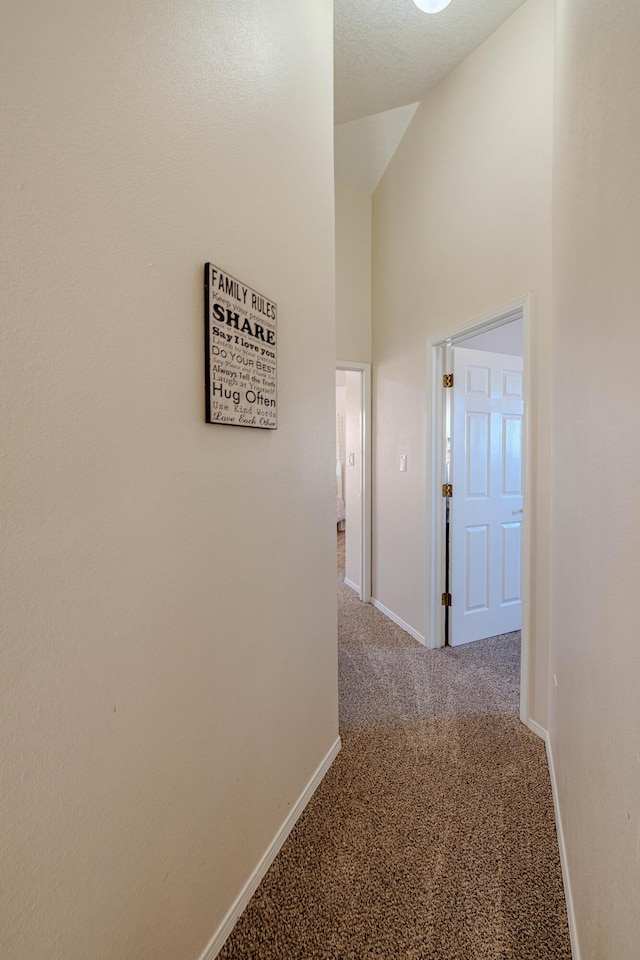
x=462, y=225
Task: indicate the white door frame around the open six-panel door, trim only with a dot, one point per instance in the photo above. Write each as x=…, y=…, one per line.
x=436, y=359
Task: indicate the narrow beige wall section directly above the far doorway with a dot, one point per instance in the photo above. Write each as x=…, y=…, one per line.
x=353, y=273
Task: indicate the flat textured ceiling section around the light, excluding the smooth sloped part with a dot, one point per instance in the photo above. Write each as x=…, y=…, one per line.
x=388, y=53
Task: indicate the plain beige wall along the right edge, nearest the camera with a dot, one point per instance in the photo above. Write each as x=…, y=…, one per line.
x=595, y=715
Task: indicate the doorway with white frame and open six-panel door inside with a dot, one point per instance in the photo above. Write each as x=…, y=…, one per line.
x=479, y=477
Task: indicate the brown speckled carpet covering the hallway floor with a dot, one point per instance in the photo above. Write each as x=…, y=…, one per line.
x=432, y=836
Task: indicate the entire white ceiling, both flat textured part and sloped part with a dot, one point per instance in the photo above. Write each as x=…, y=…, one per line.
x=387, y=55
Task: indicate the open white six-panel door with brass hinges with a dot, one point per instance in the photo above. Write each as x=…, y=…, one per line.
x=486, y=506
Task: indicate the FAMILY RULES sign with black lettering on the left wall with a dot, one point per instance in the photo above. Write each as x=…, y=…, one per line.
x=241, y=352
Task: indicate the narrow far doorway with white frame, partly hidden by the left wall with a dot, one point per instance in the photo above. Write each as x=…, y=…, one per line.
x=353, y=472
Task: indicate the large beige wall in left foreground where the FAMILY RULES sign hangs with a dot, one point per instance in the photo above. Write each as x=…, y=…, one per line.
x=168, y=655
